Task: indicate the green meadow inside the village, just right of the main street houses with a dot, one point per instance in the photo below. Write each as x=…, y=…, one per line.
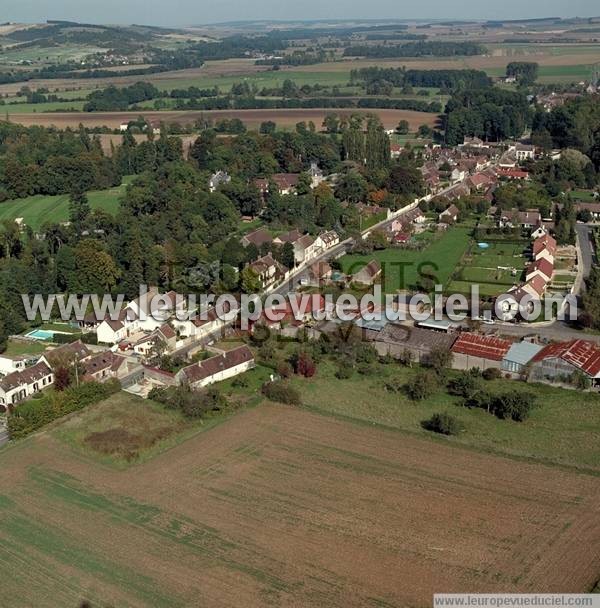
x=402, y=268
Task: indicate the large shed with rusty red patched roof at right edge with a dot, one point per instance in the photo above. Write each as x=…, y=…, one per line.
x=557, y=362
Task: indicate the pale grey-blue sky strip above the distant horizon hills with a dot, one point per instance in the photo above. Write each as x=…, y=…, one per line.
x=191, y=12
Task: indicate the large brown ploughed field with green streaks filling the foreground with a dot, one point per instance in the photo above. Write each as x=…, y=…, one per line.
x=281, y=507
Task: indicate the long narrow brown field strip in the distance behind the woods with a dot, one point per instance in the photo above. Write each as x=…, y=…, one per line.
x=252, y=118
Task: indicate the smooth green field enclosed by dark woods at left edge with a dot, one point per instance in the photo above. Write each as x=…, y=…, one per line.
x=36, y=210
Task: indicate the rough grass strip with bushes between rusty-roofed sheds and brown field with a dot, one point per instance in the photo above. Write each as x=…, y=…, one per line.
x=564, y=429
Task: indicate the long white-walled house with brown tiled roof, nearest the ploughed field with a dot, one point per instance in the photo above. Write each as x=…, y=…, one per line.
x=216, y=369
